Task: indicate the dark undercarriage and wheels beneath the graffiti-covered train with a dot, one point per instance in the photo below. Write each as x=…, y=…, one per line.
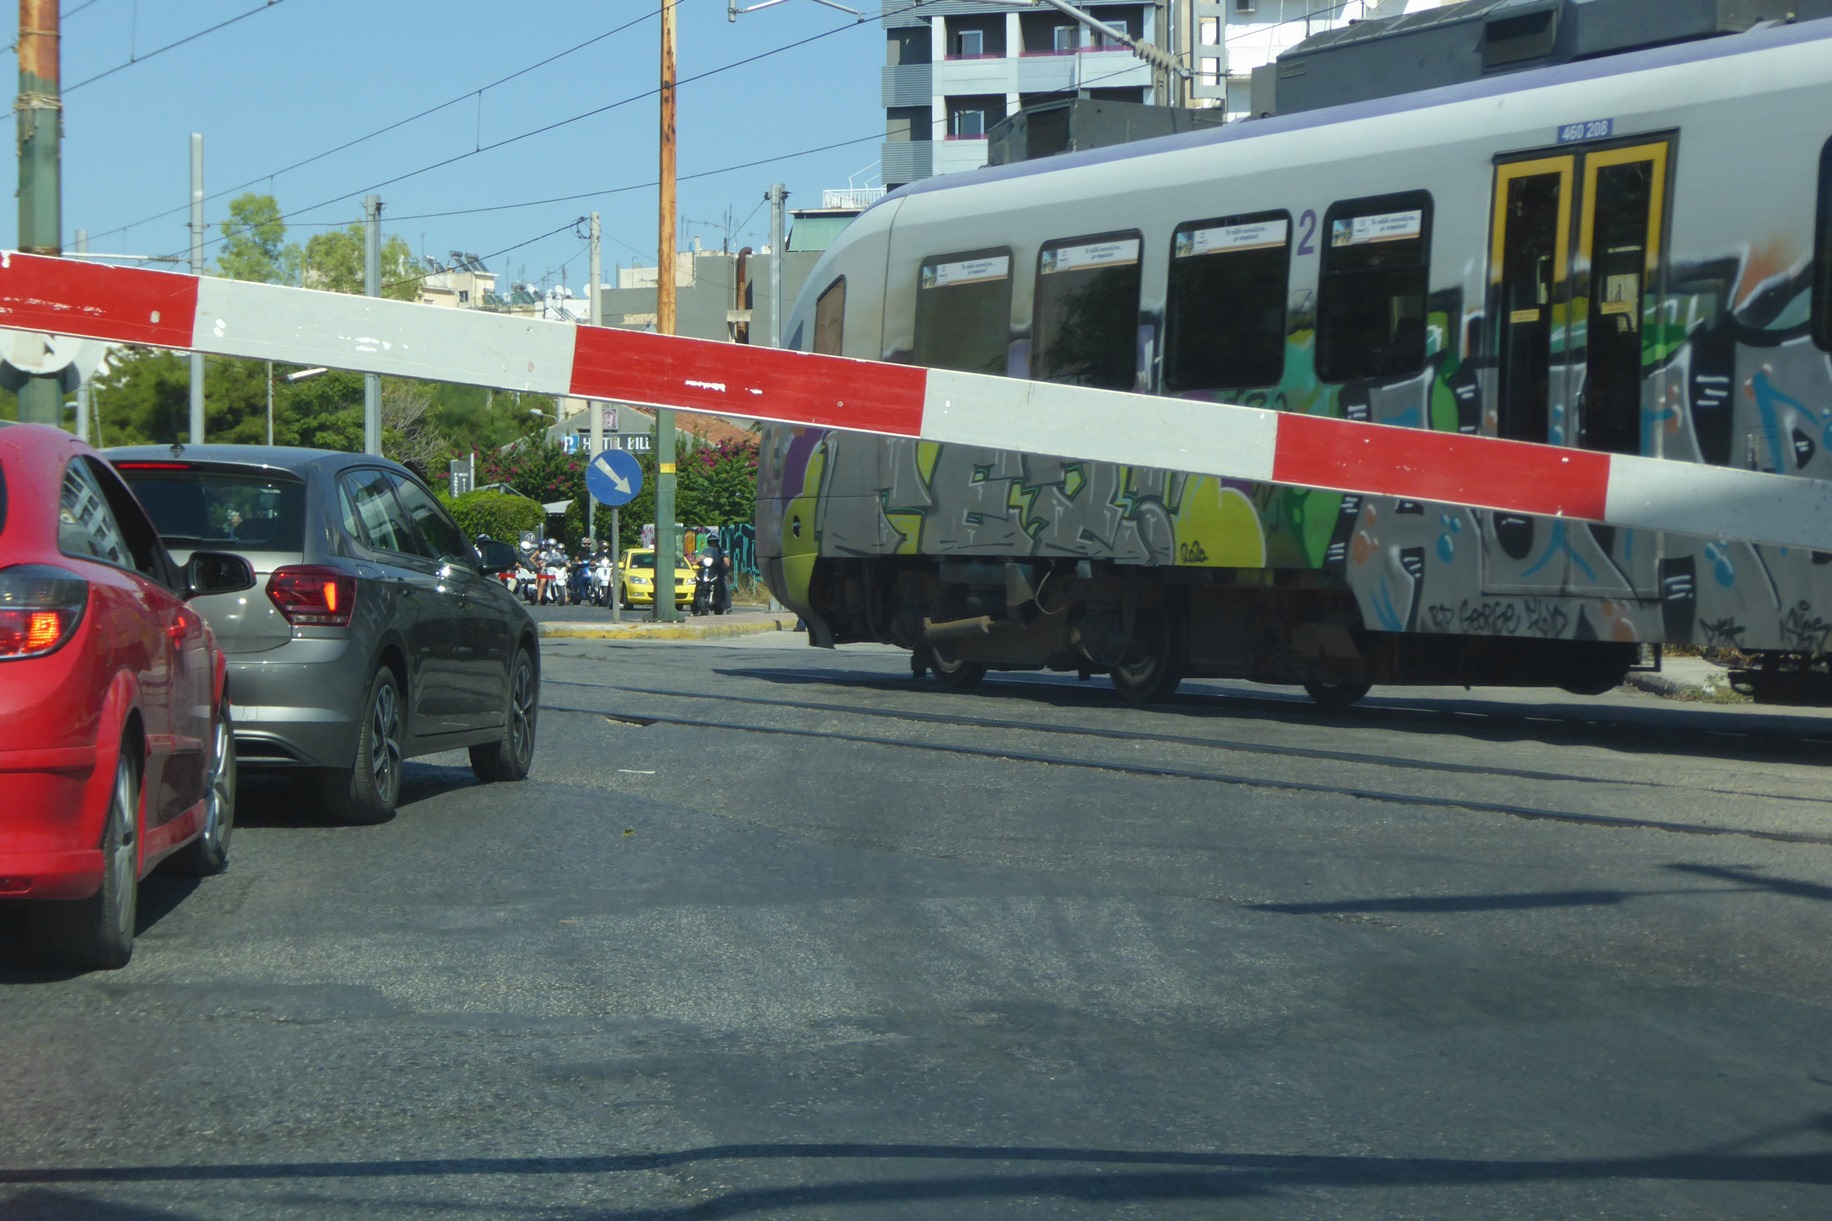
x=1148, y=630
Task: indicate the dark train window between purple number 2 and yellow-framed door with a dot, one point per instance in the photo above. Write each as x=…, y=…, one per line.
x=1371, y=291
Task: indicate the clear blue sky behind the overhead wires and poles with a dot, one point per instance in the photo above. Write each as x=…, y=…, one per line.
x=283, y=85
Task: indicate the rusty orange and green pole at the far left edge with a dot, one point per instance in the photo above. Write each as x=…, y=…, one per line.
x=41, y=208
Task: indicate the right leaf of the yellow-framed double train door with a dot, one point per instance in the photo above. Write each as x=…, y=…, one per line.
x=1620, y=241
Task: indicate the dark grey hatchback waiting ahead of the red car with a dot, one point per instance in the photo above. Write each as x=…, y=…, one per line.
x=376, y=633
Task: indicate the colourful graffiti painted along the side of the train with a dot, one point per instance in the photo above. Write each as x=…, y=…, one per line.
x=1730, y=377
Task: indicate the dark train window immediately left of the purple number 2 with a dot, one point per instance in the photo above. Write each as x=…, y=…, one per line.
x=1225, y=305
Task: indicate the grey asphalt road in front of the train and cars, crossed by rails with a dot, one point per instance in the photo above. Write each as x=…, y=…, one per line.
x=774, y=932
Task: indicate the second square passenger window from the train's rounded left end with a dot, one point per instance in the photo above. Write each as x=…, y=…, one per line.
x=1087, y=313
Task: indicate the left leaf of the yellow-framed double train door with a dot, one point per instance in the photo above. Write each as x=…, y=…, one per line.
x=1529, y=259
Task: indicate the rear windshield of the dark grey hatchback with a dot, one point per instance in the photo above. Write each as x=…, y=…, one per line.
x=223, y=509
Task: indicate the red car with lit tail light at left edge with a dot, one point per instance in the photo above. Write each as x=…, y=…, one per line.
x=116, y=747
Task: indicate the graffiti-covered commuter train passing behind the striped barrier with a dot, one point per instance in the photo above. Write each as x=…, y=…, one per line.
x=1631, y=256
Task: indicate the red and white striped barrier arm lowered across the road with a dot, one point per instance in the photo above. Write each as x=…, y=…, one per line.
x=303, y=327
